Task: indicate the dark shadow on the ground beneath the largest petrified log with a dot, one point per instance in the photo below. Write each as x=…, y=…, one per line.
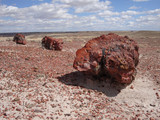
x=105, y=85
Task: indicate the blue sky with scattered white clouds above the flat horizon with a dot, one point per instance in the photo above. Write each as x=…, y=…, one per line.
x=78, y=15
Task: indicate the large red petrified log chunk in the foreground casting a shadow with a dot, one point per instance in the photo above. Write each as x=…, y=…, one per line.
x=109, y=55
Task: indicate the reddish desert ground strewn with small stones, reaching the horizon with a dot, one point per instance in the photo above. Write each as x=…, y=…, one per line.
x=40, y=84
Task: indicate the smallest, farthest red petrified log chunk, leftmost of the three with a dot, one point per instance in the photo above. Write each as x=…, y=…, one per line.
x=19, y=39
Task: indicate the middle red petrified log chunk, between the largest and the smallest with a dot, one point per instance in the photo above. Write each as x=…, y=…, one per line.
x=52, y=43
